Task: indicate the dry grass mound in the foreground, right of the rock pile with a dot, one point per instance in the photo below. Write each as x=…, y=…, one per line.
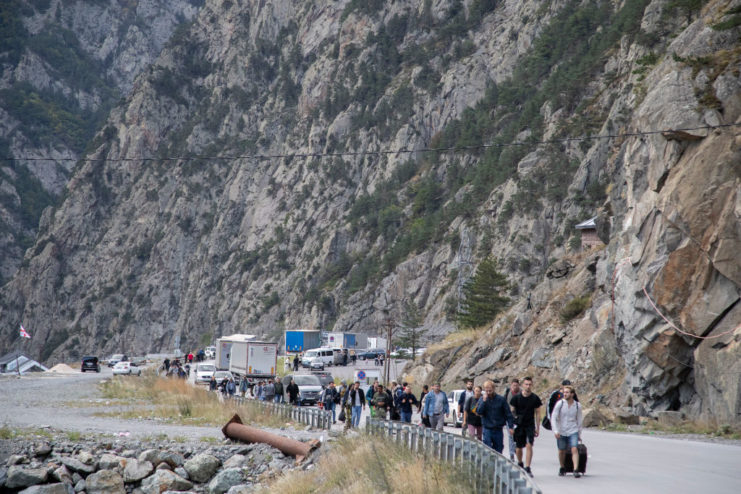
x=370, y=464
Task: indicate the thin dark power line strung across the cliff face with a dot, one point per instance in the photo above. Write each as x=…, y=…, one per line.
x=388, y=152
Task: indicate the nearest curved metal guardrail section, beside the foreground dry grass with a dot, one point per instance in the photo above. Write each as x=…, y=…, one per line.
x=490, y=471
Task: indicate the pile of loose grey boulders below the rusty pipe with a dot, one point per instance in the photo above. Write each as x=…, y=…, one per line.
x=133, y=467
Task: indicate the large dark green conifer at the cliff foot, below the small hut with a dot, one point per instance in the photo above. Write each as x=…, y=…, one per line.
x=483, y=296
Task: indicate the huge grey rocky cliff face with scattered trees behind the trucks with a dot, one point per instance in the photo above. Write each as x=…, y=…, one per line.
x=246, y=184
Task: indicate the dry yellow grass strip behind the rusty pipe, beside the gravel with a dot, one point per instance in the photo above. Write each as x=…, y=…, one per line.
x=176, y=401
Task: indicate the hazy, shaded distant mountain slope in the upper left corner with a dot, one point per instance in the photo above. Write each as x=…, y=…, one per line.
x=63, y=65
